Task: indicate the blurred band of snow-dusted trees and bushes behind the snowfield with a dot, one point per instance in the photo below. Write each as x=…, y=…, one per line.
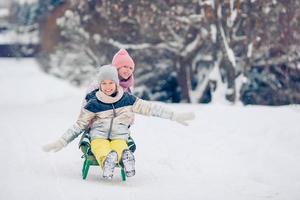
x=234, y=51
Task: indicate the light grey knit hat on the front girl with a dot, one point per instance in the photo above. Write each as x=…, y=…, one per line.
x=108, y=72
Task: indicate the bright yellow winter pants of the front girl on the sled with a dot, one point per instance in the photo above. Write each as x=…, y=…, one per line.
x=102, y=147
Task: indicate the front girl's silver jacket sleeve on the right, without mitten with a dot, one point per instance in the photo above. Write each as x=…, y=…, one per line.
x=149, y=108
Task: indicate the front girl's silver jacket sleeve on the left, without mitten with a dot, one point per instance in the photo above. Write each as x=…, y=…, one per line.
x=81, y=124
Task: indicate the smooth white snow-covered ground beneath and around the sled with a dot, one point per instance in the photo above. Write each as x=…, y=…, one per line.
x=227, y=153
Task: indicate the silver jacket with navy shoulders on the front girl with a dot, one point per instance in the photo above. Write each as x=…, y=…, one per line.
x=112, y=116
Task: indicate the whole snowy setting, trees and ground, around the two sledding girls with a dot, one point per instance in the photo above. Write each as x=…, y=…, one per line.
x=225, y=53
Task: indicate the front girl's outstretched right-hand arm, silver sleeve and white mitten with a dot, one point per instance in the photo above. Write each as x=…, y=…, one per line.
x=149, y=108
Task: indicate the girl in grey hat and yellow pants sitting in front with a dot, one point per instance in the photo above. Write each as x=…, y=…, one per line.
x=112, y=110
